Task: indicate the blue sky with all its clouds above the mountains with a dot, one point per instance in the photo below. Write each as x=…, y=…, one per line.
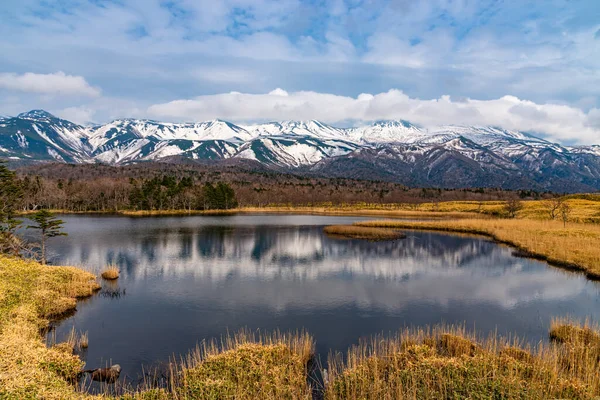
x=519, y=64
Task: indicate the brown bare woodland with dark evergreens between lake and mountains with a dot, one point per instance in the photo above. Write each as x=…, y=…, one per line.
x=157, y=186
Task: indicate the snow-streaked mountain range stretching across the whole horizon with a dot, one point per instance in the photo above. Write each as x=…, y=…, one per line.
x=446, y=156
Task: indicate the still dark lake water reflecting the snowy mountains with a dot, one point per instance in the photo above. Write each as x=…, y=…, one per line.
x=186, y=279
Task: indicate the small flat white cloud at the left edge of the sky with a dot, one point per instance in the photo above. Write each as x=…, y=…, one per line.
x=57, y=83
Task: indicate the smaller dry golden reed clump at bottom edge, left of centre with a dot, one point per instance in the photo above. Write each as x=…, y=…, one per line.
x=247, y=365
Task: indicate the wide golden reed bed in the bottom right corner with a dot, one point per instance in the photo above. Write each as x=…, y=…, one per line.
x=448, y=363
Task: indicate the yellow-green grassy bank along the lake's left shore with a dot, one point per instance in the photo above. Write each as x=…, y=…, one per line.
x=30, y=295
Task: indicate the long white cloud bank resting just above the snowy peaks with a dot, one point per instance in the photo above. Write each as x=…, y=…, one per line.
x=555, y=121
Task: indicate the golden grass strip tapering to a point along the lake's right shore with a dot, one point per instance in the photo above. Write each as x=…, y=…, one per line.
x=575, y=246
